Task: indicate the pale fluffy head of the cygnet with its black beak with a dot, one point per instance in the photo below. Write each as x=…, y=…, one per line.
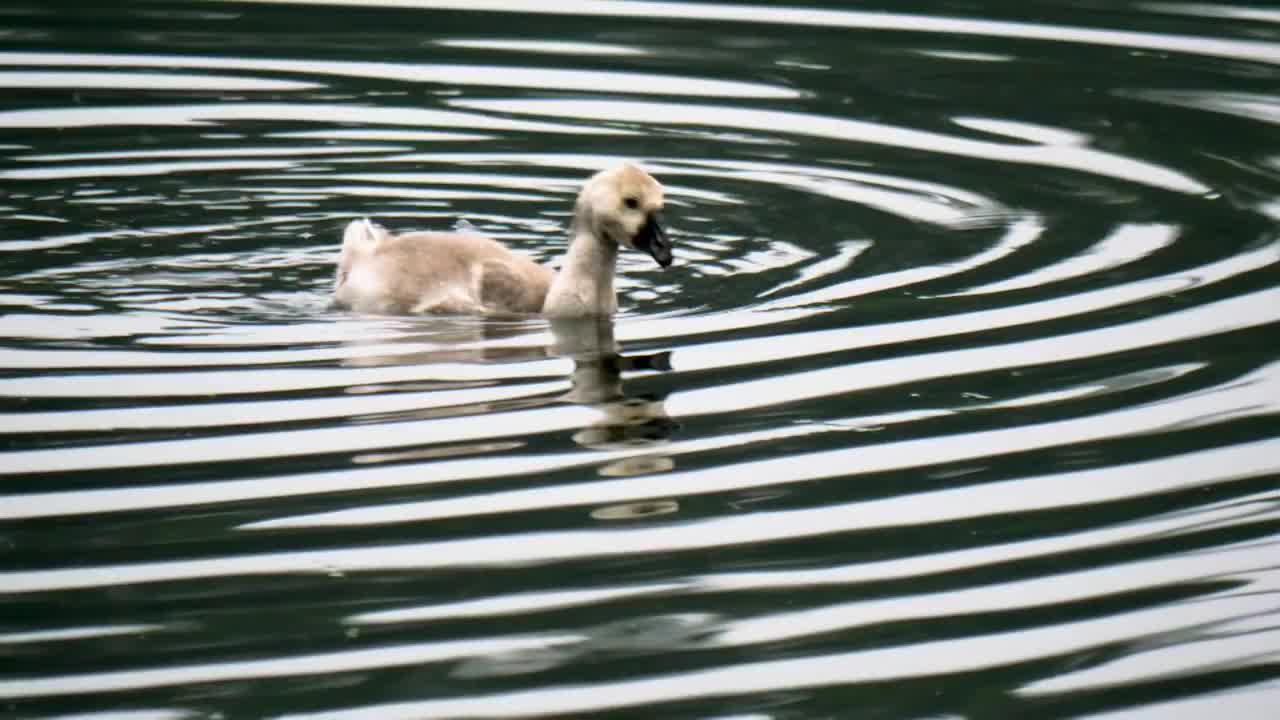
x=624, y=207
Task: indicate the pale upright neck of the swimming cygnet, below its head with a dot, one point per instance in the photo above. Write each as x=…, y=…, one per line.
x=584, y=285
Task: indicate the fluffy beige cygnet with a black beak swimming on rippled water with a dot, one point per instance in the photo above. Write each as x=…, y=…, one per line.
x=463, y=274
